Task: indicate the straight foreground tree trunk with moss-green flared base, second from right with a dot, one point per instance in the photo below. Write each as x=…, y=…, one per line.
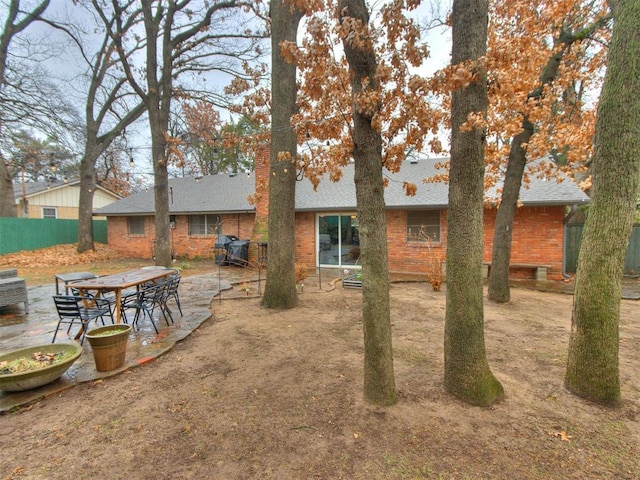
x=467, y=373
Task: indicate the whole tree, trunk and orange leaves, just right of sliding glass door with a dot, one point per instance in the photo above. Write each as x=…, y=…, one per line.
x=359, y=99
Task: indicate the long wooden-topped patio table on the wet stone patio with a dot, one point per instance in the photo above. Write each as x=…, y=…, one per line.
x=117, y=282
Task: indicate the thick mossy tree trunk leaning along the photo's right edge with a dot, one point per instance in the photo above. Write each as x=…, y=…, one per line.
x=593, y=364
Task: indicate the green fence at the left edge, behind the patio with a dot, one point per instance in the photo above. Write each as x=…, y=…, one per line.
x=18, y=234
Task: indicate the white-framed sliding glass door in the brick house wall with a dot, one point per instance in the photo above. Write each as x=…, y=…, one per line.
x=338, y=241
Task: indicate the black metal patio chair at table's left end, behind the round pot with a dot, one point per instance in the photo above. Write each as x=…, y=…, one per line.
x=74, y=309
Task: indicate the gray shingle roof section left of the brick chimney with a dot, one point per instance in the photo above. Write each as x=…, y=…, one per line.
x=210, y=194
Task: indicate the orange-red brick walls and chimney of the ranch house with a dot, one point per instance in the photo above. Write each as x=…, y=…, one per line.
x=537, y=235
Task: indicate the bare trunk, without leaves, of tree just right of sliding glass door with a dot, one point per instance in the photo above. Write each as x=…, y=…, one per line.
x=379, y=382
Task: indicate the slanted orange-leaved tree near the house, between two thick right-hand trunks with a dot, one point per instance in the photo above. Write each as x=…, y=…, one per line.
x=539, y=71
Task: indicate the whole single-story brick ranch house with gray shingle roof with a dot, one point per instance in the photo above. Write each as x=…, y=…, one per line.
x=327, y=225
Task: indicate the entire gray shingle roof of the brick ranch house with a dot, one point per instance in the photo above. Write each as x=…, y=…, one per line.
x=229, y=194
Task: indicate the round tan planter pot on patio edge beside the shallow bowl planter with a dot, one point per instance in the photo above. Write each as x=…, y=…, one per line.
x=109, y=346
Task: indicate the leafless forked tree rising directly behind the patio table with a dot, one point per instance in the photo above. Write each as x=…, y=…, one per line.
x=181, y=39
